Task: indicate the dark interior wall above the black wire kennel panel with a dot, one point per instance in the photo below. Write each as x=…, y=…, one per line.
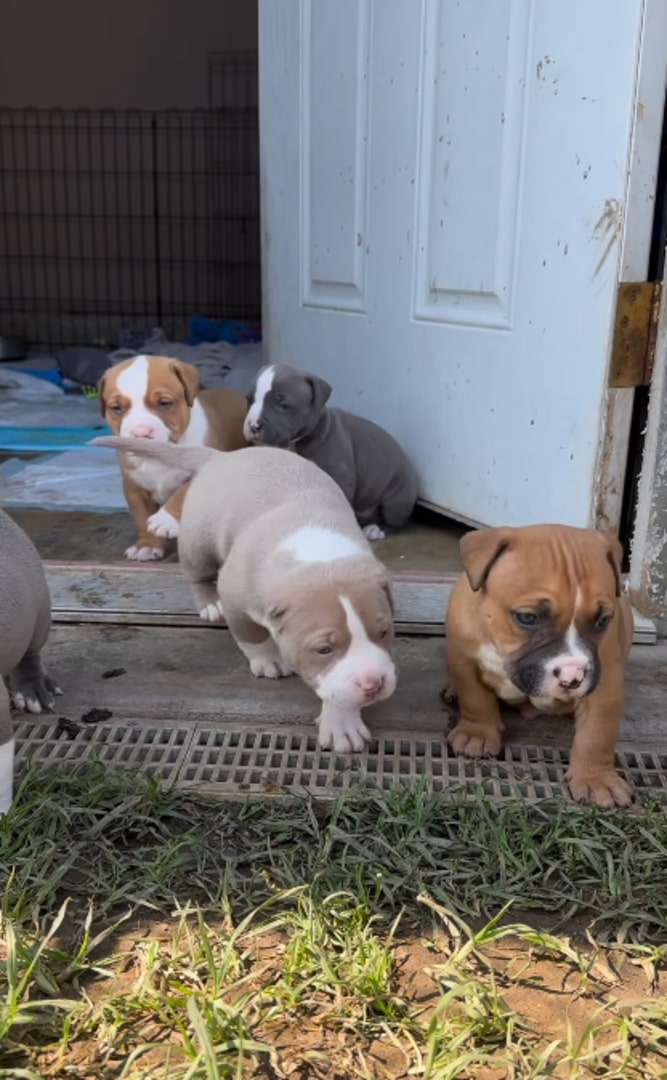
x=144, y=53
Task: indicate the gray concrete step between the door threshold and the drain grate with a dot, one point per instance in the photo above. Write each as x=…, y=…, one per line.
x=188, y=674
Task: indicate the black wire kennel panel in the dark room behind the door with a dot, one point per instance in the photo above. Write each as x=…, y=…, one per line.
x=121, y=219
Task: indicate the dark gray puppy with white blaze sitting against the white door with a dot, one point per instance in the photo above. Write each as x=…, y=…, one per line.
x=289, y=409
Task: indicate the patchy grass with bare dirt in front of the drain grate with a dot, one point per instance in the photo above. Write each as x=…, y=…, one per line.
x=151, y=934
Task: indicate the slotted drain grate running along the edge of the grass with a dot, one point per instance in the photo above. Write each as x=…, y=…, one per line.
x=222, y=762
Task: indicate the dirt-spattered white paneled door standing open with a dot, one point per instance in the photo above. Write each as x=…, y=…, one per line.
x=444, y=185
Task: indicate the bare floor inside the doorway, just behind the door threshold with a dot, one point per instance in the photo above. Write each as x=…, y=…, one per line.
x=429, y=545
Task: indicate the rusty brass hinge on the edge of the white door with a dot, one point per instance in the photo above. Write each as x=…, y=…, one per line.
x=635, y=332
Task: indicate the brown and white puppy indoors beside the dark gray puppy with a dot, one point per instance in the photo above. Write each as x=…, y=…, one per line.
x=159, y=398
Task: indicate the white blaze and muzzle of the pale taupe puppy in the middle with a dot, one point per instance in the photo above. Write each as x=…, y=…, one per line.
x=366, y=672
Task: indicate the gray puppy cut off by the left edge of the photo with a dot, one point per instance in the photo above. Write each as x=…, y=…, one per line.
x=25, y=622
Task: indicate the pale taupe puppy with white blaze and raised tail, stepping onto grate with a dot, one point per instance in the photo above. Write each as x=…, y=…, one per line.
x=269, y=539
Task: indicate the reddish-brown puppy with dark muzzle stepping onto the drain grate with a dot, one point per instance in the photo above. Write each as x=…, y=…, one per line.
x=538, y=623
